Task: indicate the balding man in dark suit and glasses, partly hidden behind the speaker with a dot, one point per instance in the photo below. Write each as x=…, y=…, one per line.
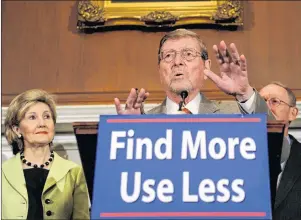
x=282, y=104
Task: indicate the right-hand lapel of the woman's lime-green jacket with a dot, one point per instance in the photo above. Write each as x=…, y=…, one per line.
x=60, y=167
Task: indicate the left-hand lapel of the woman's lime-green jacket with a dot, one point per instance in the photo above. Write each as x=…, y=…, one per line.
x=13, y=172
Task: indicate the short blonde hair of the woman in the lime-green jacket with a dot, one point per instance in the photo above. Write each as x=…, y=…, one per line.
x=17, y=110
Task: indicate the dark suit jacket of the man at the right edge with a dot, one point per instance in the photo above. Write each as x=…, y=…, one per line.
x=288, y=197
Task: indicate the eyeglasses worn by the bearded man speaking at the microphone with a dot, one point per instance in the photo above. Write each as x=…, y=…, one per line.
x=186, y=54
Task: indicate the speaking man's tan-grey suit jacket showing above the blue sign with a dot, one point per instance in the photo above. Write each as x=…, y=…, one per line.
x=220, y=107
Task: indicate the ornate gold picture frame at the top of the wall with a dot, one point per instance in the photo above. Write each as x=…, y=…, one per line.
x=158, y=13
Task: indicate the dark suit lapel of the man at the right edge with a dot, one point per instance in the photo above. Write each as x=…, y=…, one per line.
x=291, y=172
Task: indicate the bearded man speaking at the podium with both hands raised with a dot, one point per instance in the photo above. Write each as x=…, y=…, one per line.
x=184, y=66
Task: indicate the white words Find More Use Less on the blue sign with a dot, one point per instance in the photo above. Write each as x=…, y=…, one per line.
x=137, y=186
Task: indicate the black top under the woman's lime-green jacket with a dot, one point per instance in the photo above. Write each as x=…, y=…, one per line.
x=35, y=180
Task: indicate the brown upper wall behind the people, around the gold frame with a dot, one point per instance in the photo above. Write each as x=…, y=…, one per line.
x=41, y=48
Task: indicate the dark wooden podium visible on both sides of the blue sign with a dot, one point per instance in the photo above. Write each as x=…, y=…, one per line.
x=86, y=136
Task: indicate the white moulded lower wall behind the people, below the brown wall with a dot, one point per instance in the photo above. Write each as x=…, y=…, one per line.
x=65, y=141
